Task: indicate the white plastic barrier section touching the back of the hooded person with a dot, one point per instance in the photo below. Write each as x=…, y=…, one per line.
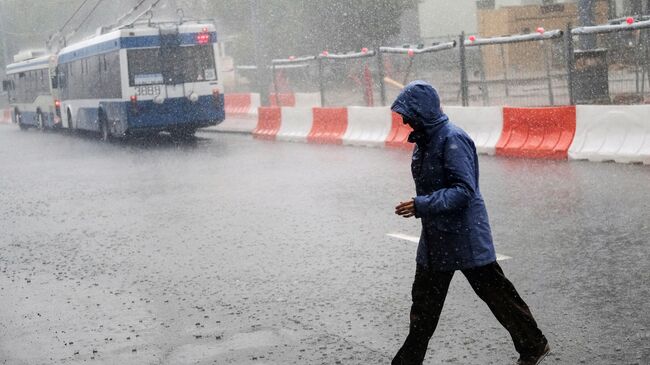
x=483, y=124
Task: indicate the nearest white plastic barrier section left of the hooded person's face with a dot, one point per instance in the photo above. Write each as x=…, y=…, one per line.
x=367, y=126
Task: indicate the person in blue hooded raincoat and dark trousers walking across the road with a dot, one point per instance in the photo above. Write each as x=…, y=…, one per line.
x=455, y=231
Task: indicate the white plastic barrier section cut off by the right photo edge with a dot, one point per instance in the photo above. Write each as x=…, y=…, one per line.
x=612, y=133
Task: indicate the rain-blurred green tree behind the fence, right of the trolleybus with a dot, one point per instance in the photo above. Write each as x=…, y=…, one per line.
x=290, y=27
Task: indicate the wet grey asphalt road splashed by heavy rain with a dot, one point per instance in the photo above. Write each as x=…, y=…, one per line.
x=229, y=250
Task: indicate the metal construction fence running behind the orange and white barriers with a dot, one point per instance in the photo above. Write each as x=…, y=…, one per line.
x=543, y=68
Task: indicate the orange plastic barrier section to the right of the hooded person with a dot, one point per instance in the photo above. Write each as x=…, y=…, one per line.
x=537, y=132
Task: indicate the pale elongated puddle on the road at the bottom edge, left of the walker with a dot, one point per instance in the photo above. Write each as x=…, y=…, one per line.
x=193, y=353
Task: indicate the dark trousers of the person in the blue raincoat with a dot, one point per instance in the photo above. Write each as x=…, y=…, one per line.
x=491, y=285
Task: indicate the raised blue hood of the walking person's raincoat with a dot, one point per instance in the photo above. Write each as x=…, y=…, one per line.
x=420, y=103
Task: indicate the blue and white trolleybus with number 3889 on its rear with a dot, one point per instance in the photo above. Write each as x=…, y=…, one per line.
x=141, y=79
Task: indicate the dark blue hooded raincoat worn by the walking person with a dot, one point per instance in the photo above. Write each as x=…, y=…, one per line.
x=455, y=228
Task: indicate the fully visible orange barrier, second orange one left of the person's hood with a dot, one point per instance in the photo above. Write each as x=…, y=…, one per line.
x=329, y=125
